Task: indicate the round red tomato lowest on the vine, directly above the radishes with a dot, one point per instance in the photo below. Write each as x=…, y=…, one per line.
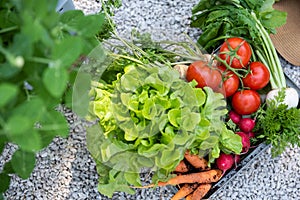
x=245, y=102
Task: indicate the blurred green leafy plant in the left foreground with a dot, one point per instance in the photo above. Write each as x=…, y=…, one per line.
x=38, y=49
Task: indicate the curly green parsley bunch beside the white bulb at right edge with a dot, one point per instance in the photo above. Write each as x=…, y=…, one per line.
x=278, y=125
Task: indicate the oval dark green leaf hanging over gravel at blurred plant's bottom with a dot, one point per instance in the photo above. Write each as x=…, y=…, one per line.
x=23, y=163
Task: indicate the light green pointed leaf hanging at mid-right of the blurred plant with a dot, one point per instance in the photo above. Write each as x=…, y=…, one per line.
x=55, y=80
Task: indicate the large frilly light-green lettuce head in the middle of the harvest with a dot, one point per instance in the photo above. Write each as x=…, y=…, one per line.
x=149, y=117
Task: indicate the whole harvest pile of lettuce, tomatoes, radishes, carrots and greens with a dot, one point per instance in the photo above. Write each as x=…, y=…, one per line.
x=159, y=104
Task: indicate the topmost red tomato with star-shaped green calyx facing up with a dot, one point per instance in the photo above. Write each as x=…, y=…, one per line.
x=236, y=52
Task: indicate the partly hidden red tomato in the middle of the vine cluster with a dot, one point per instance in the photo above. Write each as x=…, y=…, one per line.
x=231, y=82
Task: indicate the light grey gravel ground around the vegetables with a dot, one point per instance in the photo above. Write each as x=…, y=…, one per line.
x=65, y=169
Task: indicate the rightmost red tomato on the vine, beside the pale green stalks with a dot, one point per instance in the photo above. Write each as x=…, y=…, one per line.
x=258, y=77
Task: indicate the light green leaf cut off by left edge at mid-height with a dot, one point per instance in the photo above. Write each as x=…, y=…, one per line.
x=7, y=93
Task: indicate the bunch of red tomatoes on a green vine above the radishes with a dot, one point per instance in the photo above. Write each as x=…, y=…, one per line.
x=235, y=75
